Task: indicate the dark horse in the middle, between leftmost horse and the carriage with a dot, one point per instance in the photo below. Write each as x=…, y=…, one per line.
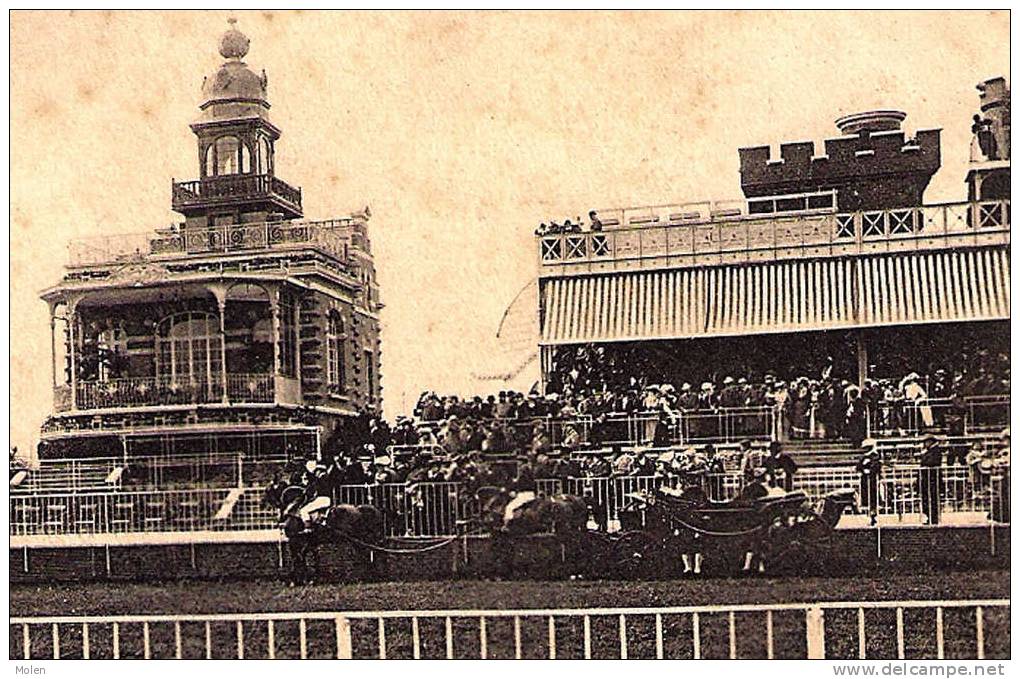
x=511, y=516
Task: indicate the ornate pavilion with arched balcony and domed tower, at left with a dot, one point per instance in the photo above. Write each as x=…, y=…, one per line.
x=245, y=329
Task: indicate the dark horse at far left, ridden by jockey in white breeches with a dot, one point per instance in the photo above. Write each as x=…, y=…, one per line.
x=361, y=526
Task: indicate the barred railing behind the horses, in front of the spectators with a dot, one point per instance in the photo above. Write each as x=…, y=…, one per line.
x=445, y=509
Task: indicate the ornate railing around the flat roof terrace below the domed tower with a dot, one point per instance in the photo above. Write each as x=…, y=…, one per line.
x=333, y=237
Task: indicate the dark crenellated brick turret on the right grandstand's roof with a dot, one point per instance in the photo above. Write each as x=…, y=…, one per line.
x=873, y=167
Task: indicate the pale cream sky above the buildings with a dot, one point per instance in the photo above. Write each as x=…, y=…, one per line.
x=461, y=131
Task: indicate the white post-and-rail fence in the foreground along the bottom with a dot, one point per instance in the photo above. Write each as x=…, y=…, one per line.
x=914, y=631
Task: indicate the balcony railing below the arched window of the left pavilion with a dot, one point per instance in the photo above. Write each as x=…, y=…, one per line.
x=168, y=391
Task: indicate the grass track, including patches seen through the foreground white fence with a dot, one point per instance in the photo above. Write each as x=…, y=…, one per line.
x=719, y=636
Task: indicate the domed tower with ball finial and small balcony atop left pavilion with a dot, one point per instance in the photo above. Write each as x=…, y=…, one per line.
x=236, y=148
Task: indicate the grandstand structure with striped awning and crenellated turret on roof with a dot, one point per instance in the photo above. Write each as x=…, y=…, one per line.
x=833, y=253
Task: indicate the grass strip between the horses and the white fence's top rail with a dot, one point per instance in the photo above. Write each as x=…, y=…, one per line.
x=233, y=597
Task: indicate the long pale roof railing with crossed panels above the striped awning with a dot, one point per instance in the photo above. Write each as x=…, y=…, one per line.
x=712, y=237
